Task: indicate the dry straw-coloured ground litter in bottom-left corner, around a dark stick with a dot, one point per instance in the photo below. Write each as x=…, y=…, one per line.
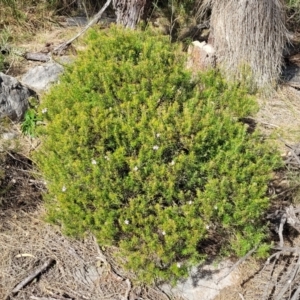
x=27, y=242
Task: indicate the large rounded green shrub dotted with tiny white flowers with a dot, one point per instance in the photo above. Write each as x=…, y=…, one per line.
x=149, y=160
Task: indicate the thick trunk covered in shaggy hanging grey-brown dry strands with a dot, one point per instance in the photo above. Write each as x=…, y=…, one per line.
x=249, y=38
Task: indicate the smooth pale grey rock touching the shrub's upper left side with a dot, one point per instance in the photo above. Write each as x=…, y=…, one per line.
x=41, y=77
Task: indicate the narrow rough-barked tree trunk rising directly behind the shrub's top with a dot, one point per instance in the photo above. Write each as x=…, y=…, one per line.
x=129, y=12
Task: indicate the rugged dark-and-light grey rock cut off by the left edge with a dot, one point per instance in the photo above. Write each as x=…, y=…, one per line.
x=13, y=98
